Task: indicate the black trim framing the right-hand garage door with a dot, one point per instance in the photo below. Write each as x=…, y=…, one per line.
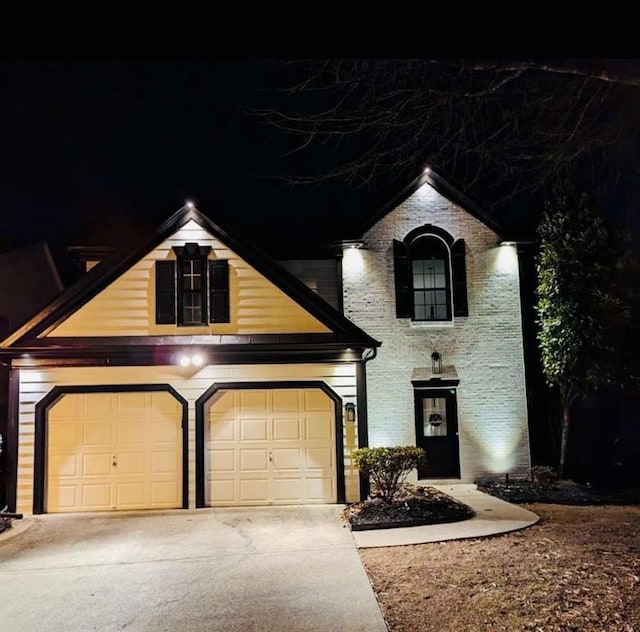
x=234, y=386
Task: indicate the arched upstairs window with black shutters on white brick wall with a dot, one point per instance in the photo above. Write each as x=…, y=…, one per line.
x=430, y=276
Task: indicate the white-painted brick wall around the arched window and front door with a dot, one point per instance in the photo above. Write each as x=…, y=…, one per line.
x=485, y=348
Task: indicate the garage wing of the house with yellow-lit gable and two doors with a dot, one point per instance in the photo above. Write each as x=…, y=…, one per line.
x=195, y=371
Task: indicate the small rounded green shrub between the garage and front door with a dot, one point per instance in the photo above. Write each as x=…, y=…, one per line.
x=388, y=467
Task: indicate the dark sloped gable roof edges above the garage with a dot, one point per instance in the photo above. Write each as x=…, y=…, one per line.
x=106, y=272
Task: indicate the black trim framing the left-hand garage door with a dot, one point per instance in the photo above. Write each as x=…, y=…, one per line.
x=42, y=418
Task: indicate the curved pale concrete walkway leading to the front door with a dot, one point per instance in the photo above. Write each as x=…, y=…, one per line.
x=493, y=516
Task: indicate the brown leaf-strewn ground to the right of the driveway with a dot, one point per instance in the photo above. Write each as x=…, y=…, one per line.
x=578, y=569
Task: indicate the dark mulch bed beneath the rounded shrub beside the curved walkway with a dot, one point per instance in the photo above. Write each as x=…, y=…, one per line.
x=416, y=506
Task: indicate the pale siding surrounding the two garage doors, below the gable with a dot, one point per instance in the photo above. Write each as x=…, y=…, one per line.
x=36, y=383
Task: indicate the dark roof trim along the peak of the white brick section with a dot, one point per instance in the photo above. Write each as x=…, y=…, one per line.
x=445, y=188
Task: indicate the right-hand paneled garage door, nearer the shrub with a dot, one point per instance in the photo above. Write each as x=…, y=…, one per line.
x=270, y=446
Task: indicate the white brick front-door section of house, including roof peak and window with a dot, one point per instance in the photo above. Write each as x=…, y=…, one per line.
x=434, y=279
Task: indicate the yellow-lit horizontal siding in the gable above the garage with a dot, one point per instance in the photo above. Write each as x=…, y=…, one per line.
x=127, y=306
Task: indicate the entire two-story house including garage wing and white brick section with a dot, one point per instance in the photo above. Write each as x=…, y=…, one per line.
x=197, y=371
